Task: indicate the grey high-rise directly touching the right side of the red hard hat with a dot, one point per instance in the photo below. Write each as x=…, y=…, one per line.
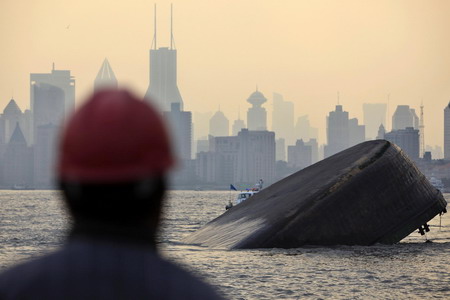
x=180, y=123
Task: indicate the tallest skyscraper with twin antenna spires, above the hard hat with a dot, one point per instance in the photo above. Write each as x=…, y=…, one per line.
x=163, y=88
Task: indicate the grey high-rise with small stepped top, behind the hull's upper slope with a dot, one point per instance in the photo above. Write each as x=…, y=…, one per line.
x=338, y=137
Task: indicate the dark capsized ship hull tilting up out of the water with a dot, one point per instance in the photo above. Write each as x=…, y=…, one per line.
x=370, y=193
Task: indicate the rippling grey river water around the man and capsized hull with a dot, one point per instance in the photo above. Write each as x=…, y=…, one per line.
x=34, y=222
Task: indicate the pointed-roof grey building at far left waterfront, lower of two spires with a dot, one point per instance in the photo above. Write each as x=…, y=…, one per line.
x=17, y=162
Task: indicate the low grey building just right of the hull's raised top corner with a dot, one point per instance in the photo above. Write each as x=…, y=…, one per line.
x=407, y=139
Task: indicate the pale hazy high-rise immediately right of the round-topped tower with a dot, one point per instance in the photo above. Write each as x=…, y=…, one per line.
x=283, y=118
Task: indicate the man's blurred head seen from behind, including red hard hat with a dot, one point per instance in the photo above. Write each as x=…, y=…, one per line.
x=114, y=155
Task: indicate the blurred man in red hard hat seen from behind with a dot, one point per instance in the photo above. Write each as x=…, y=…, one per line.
x=114, y=155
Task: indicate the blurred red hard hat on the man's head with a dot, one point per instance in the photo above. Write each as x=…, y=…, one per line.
x=114, y=137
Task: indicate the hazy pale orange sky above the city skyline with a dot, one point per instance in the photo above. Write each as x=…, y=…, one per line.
x=305, y=50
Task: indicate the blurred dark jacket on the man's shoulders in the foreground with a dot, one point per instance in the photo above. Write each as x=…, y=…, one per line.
x=91, y=268
